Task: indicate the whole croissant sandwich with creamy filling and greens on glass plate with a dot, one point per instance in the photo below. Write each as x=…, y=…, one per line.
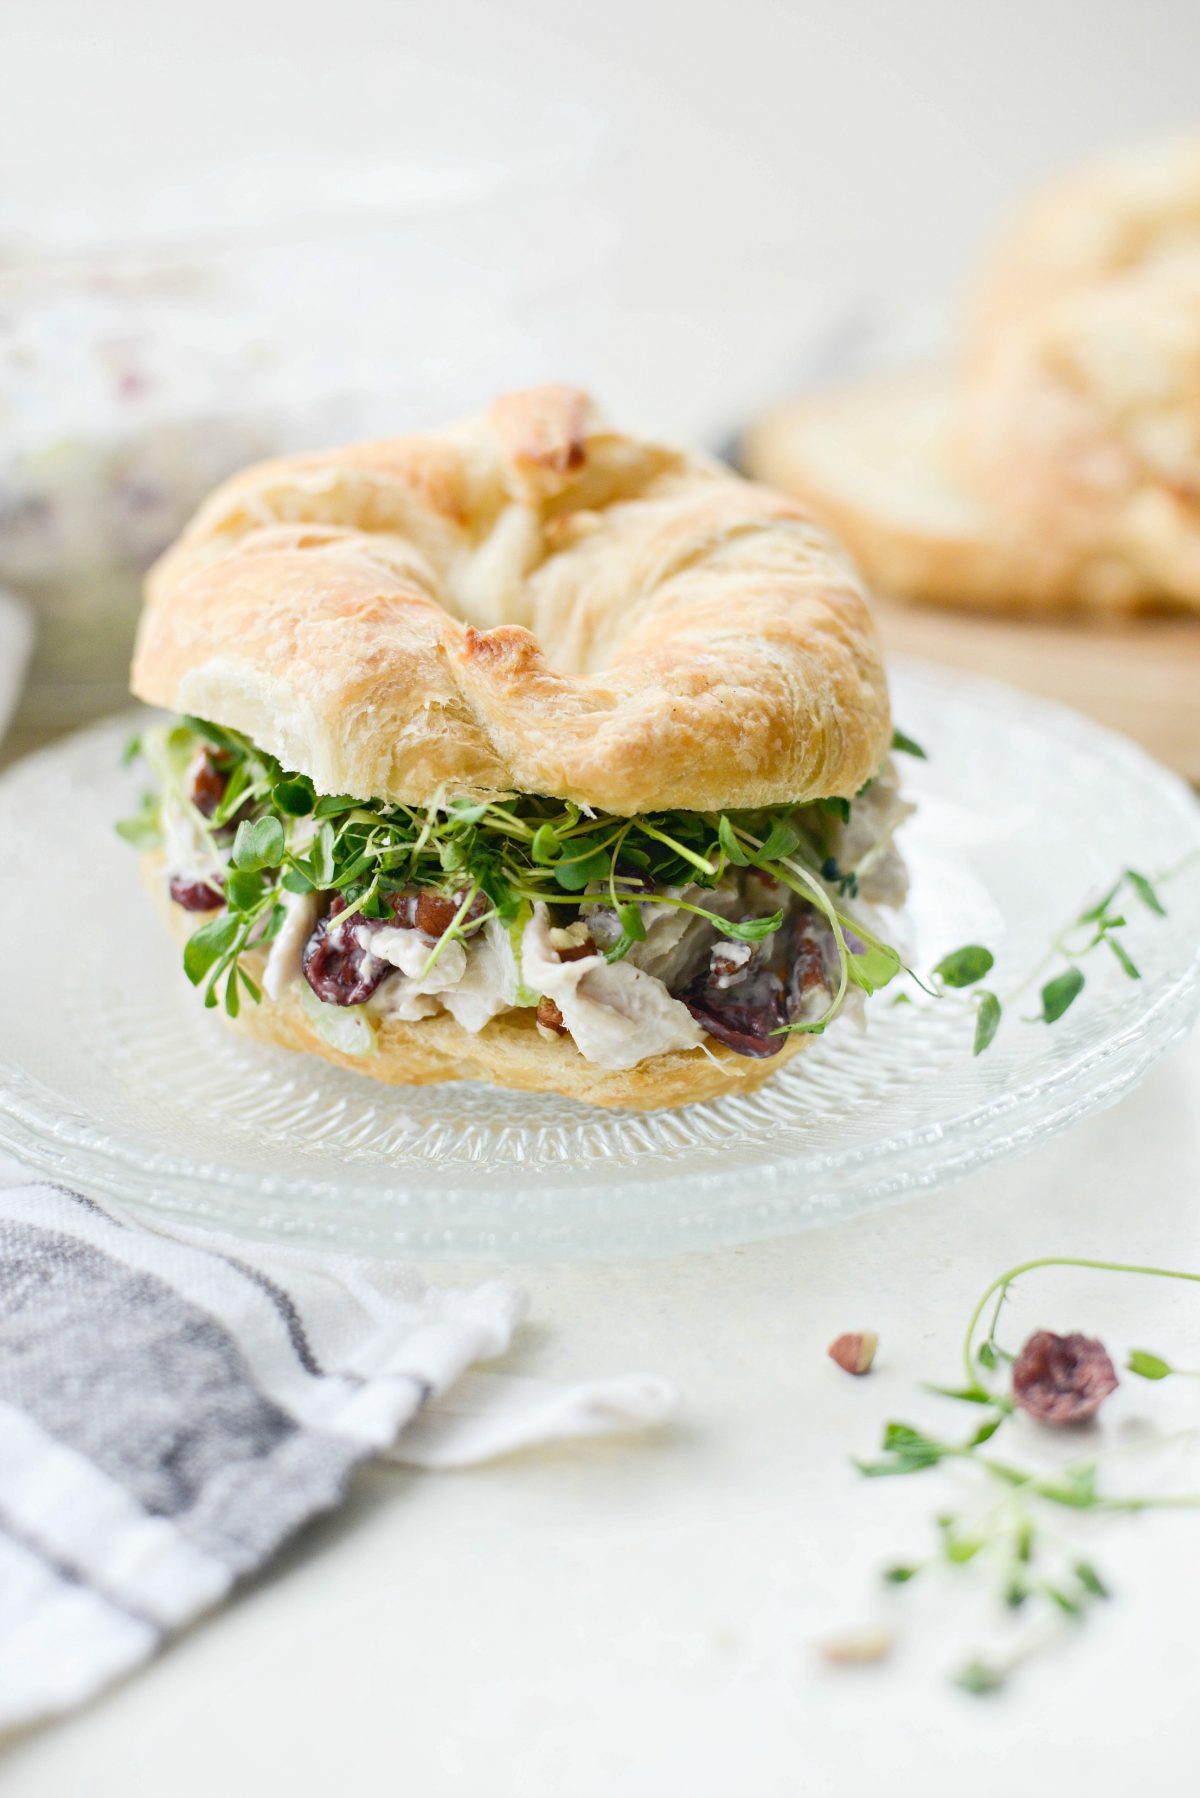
x=523, y=752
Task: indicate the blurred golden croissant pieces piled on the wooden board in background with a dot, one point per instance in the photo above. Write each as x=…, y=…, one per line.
x=1057, y=465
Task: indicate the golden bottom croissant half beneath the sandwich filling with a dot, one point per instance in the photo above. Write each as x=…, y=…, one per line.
x=508, y=1053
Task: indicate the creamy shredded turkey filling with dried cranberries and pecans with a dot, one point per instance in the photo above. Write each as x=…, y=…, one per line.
x=677, y=986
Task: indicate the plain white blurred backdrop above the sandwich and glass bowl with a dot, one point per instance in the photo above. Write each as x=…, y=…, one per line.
x=701, y=170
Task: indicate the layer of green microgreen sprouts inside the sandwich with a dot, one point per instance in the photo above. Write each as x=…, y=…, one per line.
x=514, y=851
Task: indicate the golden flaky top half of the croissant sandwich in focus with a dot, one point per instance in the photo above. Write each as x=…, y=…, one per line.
x=524, y=603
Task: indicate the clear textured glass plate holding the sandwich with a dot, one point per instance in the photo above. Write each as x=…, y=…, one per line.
x=116, y=1080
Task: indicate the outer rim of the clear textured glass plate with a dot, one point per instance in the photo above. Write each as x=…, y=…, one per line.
x=219, y=1195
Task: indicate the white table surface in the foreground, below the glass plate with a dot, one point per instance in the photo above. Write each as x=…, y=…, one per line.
x=641, y=1619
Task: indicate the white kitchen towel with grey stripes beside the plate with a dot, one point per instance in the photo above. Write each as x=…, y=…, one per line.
x=174, y=1409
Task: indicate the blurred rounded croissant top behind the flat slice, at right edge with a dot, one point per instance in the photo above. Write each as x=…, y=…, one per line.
x=1079, y=414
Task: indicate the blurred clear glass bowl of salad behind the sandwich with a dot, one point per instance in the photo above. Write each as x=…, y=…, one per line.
x=132, y=384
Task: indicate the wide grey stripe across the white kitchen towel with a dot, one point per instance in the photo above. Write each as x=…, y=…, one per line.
x=118, y=1366
